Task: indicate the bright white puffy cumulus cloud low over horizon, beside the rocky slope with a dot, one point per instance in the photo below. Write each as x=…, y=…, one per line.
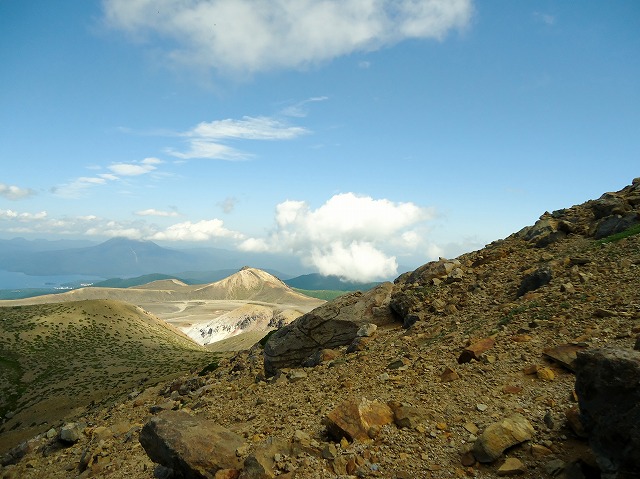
x=347, y=236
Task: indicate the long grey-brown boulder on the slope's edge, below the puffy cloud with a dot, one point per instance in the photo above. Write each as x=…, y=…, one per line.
x=331, y=325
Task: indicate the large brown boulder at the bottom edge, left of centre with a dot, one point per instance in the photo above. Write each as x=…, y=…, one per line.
x=193, y=447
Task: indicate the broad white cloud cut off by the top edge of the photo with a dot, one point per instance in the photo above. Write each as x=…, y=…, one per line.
x=246, y=36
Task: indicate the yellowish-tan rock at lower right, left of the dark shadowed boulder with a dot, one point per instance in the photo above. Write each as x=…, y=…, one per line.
x=501, y=435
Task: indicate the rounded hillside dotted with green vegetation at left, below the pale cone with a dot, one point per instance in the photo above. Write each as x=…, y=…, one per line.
x=57, y=357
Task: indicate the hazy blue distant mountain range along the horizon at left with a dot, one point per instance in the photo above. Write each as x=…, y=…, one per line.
x=130, y=263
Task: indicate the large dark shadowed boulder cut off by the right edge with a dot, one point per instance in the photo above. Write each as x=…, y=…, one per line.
x=608, y=389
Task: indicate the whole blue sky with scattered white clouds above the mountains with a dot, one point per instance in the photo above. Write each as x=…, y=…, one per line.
x=357, y=135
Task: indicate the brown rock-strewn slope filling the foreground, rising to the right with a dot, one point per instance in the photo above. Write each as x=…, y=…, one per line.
x=515, y=360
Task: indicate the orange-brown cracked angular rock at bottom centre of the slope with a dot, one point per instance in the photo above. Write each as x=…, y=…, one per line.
x=356, y=419
